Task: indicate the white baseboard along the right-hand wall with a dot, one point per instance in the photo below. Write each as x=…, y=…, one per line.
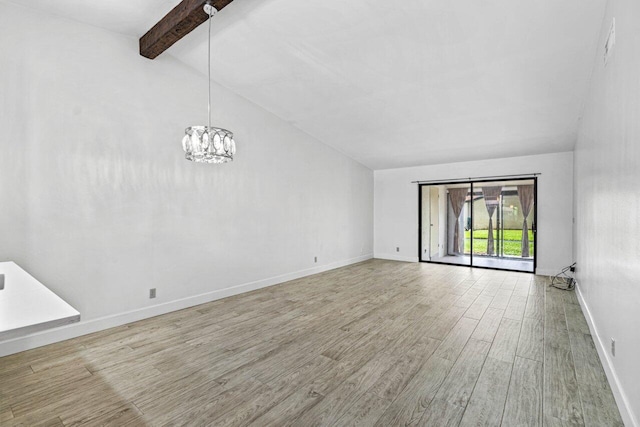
x=628, y=417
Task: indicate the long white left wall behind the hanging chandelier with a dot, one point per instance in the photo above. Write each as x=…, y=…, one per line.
x=102, y=205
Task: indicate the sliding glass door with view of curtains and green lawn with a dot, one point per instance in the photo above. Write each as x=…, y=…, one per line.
x=490, y=224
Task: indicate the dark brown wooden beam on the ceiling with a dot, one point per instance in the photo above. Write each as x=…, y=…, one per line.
x=182, y=19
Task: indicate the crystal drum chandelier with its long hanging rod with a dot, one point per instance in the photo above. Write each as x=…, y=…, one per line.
x=207, y=144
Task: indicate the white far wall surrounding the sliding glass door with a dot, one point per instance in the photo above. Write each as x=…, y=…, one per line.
x=396, y=204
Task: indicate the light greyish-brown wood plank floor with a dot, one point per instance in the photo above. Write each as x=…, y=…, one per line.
x=378, y=343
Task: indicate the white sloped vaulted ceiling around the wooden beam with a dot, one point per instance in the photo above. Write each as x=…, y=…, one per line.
x=394, y=84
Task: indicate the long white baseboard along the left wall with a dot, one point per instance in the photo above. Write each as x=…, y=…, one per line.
x=28, y=342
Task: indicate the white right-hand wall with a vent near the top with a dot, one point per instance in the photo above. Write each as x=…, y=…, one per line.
x=607, y=203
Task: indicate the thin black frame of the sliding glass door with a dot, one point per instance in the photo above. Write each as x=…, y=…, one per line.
x=471, y=182
